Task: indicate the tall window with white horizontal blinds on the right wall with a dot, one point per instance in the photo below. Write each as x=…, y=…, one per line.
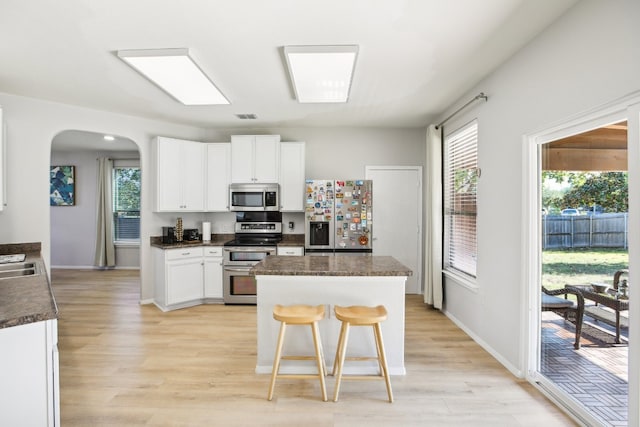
x=460, y=181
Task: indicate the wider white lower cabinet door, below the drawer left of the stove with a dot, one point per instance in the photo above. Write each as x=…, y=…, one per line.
x=184, y=280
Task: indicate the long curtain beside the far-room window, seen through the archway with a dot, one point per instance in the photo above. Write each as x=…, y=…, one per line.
x=105, y=250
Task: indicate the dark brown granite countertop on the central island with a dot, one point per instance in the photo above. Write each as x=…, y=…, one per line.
x=330, y=266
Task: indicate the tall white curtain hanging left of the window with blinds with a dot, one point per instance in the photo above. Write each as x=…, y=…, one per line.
x=433, y=294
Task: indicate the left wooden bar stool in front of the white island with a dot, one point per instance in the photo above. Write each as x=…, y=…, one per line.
x=299, y=315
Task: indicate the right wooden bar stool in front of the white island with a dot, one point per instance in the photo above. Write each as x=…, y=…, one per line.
x=361, y=316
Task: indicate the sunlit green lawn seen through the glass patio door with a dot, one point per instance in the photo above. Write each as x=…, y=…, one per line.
x=581, y=266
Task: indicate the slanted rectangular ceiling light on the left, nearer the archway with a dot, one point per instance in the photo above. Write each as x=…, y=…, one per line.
x=175, y=72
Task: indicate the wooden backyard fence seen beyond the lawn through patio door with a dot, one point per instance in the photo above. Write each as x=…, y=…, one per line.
x=582, y=231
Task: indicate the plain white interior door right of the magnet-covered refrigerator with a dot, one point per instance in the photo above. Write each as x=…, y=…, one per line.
x=397, y=217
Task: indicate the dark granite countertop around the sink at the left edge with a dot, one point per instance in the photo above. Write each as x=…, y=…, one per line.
x=26, y=299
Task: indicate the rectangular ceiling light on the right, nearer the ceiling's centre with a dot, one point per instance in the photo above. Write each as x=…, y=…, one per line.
x=321, y=73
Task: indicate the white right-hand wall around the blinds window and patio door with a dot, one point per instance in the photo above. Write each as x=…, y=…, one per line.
x=590, y=56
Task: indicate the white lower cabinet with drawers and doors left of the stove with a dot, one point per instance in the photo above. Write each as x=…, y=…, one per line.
x=185, y=277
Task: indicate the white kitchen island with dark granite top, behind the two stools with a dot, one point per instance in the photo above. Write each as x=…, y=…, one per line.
x=331, y=280
